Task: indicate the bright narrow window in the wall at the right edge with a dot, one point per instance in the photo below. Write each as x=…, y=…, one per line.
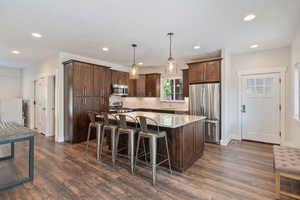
x=297, y=91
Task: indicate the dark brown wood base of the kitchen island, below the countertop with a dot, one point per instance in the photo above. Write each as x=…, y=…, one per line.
x=186, y=145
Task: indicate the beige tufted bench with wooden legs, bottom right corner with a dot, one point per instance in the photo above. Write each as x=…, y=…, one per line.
x=286, y=164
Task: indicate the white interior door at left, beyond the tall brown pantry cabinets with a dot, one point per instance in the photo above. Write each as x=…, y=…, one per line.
x=40, y=105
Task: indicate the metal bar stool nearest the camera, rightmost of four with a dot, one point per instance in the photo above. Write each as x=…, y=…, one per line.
x=153, y=136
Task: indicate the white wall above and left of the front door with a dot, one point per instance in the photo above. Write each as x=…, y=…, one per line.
x=250, y=61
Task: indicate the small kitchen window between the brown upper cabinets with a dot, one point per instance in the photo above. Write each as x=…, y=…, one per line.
x=172, y=90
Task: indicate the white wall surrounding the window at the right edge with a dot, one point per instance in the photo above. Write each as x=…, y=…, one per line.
x=293, y=126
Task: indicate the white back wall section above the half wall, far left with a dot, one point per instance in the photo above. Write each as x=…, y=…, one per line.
x=10, y=82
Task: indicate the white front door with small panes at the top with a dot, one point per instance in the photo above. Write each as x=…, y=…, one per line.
x=260, y=99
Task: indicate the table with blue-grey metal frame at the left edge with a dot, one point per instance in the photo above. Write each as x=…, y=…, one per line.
x=10, y=133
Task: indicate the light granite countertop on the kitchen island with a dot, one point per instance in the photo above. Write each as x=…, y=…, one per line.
x=168, y=120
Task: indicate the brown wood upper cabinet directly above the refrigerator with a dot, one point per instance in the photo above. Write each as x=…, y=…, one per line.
x=205, y=71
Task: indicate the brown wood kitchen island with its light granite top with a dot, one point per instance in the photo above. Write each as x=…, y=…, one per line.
x=185, y=136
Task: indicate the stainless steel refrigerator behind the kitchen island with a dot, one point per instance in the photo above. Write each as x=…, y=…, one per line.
x=205, y=100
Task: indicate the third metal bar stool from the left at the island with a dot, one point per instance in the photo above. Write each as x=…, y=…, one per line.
x=130, y=131
